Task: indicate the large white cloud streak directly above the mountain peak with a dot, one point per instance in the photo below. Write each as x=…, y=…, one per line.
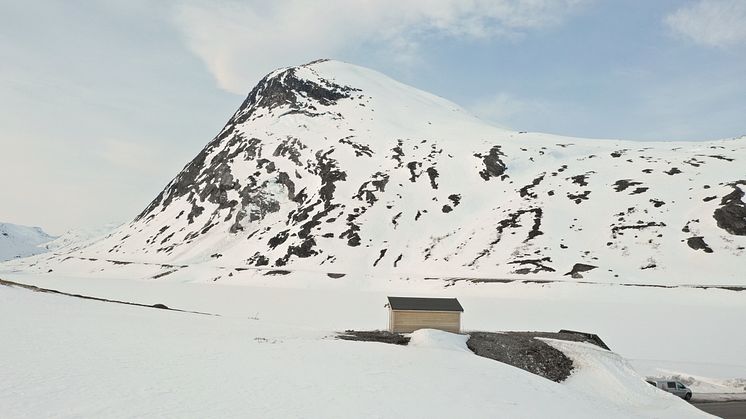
x=239, y=42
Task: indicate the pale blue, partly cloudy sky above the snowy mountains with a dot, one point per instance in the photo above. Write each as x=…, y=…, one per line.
x=103, y=102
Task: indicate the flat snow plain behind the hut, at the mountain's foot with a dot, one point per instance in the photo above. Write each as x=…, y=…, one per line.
x=659, y=328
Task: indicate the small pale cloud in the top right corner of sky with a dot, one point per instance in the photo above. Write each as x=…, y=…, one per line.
x=716, y=23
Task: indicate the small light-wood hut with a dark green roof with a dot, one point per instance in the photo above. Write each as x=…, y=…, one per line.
x=408, y=314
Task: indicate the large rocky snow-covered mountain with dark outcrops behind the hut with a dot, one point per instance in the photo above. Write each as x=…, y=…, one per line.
x=337, y=168
